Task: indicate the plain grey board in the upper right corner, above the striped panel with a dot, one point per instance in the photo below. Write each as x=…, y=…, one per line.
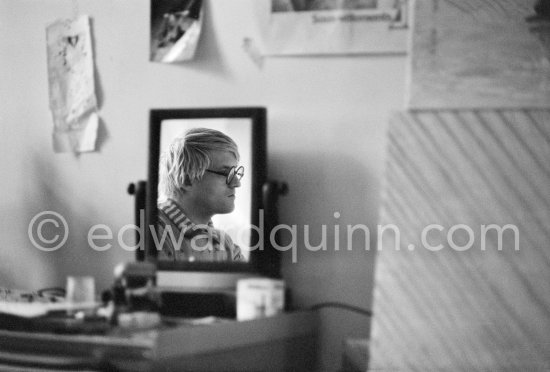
x=478, y=53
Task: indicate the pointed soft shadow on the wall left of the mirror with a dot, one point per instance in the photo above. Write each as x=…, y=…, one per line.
x=62, y=221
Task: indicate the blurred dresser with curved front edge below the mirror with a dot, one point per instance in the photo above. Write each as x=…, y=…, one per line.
x=283, y=342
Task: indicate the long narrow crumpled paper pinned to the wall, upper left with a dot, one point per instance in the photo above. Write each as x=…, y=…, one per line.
x=71, y=83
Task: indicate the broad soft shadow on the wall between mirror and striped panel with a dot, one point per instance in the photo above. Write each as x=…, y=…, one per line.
x=320, y=185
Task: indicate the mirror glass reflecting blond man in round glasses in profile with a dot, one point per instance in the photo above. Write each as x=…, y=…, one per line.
x=204, y=192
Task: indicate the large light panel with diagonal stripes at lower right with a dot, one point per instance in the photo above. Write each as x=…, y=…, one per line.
x=458, y=309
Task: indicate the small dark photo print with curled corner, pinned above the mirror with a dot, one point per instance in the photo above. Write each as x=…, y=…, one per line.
x=175, y=29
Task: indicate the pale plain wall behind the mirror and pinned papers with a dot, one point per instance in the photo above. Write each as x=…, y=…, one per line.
x=327, y=118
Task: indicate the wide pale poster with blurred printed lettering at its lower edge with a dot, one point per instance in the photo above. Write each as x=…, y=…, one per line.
x=319, y=27
